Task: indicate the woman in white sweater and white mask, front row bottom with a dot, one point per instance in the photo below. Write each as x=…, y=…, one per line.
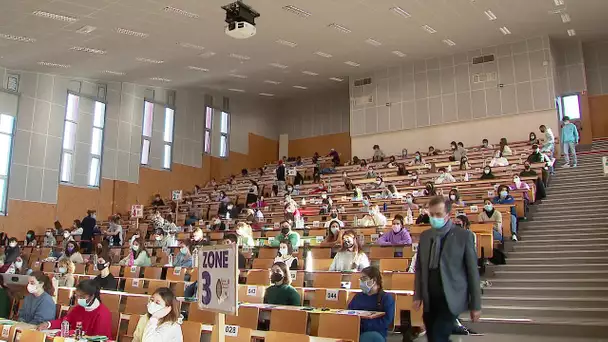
x=160, y=324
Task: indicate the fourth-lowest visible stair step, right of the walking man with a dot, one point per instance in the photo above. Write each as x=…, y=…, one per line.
x=546, y=291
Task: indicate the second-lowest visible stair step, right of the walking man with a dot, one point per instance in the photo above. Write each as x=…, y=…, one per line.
x=546, y=311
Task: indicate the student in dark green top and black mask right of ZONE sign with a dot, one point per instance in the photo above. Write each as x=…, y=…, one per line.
x=281, y=292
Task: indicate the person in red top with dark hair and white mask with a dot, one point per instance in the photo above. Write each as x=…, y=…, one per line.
x=95, y=317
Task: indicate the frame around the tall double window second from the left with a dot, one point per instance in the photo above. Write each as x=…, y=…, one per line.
x=90, y=153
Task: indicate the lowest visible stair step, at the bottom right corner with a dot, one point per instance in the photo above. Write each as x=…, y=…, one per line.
x=572, y=329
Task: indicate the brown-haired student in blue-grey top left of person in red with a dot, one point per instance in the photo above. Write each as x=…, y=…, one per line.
x=38, y=306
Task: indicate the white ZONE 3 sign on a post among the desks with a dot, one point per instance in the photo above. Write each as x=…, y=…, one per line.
x=217, y=279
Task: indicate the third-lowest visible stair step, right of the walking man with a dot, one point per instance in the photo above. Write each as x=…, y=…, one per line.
x=545, y=301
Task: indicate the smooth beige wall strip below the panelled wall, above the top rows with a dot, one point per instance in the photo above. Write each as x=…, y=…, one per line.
x=513, y=127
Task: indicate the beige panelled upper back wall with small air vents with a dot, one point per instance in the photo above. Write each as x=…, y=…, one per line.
x=440, y=91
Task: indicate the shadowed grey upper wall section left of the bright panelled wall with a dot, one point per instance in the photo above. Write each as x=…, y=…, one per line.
x=315, y=114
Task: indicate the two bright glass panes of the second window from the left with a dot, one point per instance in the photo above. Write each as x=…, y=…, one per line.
x=69, y=141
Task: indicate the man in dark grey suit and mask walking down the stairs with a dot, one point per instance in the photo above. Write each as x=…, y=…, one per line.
x=447, y=279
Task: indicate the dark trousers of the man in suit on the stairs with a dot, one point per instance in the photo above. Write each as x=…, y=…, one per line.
x=438, y=321
